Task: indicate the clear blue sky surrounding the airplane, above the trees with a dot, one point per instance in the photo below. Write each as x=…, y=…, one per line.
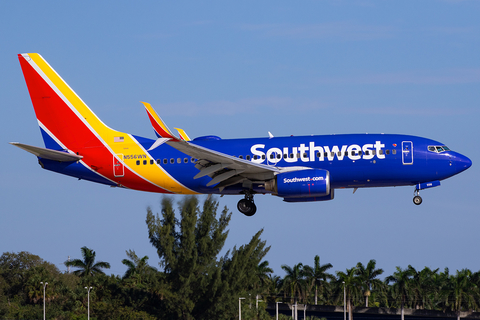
x=240, y=70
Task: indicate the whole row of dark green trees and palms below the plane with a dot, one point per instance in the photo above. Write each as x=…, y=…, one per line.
x=195, y=282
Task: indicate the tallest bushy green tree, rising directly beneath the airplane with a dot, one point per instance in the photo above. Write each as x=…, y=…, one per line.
x=198, y=286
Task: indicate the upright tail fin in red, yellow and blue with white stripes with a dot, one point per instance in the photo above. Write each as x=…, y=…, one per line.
x=66, y=122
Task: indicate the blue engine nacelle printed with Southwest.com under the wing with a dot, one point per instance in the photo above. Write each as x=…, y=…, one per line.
x=300, y=184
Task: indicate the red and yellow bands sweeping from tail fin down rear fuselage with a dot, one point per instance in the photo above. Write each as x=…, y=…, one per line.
x=69, y=121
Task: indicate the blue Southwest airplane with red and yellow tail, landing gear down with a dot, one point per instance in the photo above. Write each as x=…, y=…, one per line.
x=297, y=169
